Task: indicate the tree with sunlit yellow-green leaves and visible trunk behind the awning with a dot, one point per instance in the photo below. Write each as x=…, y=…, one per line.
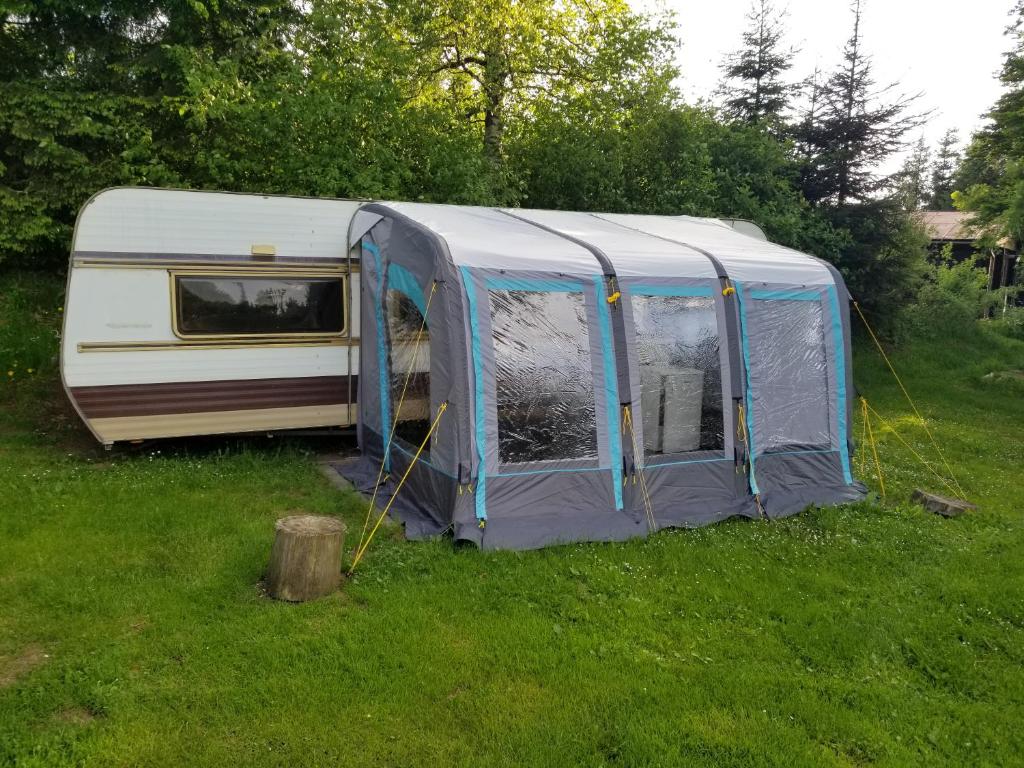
x=497, y=63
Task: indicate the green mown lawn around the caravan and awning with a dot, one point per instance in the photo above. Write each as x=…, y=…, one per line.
x=134, y=631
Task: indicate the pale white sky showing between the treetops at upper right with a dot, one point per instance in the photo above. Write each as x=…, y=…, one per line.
x=950, y=51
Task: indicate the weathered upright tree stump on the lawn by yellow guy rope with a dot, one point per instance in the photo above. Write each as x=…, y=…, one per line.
x=306, y=561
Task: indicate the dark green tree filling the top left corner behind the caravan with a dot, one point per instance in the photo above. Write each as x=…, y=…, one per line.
x=116, y=93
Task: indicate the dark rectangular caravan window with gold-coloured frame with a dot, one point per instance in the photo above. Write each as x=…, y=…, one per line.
x=266, y=306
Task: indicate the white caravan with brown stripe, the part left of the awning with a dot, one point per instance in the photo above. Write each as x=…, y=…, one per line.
x=195, y=313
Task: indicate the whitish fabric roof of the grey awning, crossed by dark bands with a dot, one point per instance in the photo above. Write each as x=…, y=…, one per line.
x=636, y=245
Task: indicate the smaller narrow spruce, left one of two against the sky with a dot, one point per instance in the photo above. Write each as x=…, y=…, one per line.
x=755, y=89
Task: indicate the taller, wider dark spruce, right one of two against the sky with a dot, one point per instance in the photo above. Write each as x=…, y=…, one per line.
x=855, y=127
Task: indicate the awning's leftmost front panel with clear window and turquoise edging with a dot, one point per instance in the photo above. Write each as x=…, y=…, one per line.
x=544, y=378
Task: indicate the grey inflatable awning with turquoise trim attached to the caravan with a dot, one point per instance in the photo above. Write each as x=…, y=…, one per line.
x=594, y=377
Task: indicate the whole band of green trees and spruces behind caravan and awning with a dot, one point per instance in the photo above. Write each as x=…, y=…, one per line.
x=561, y=104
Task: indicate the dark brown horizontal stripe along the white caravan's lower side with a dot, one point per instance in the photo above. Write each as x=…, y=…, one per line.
x=205, y=397
